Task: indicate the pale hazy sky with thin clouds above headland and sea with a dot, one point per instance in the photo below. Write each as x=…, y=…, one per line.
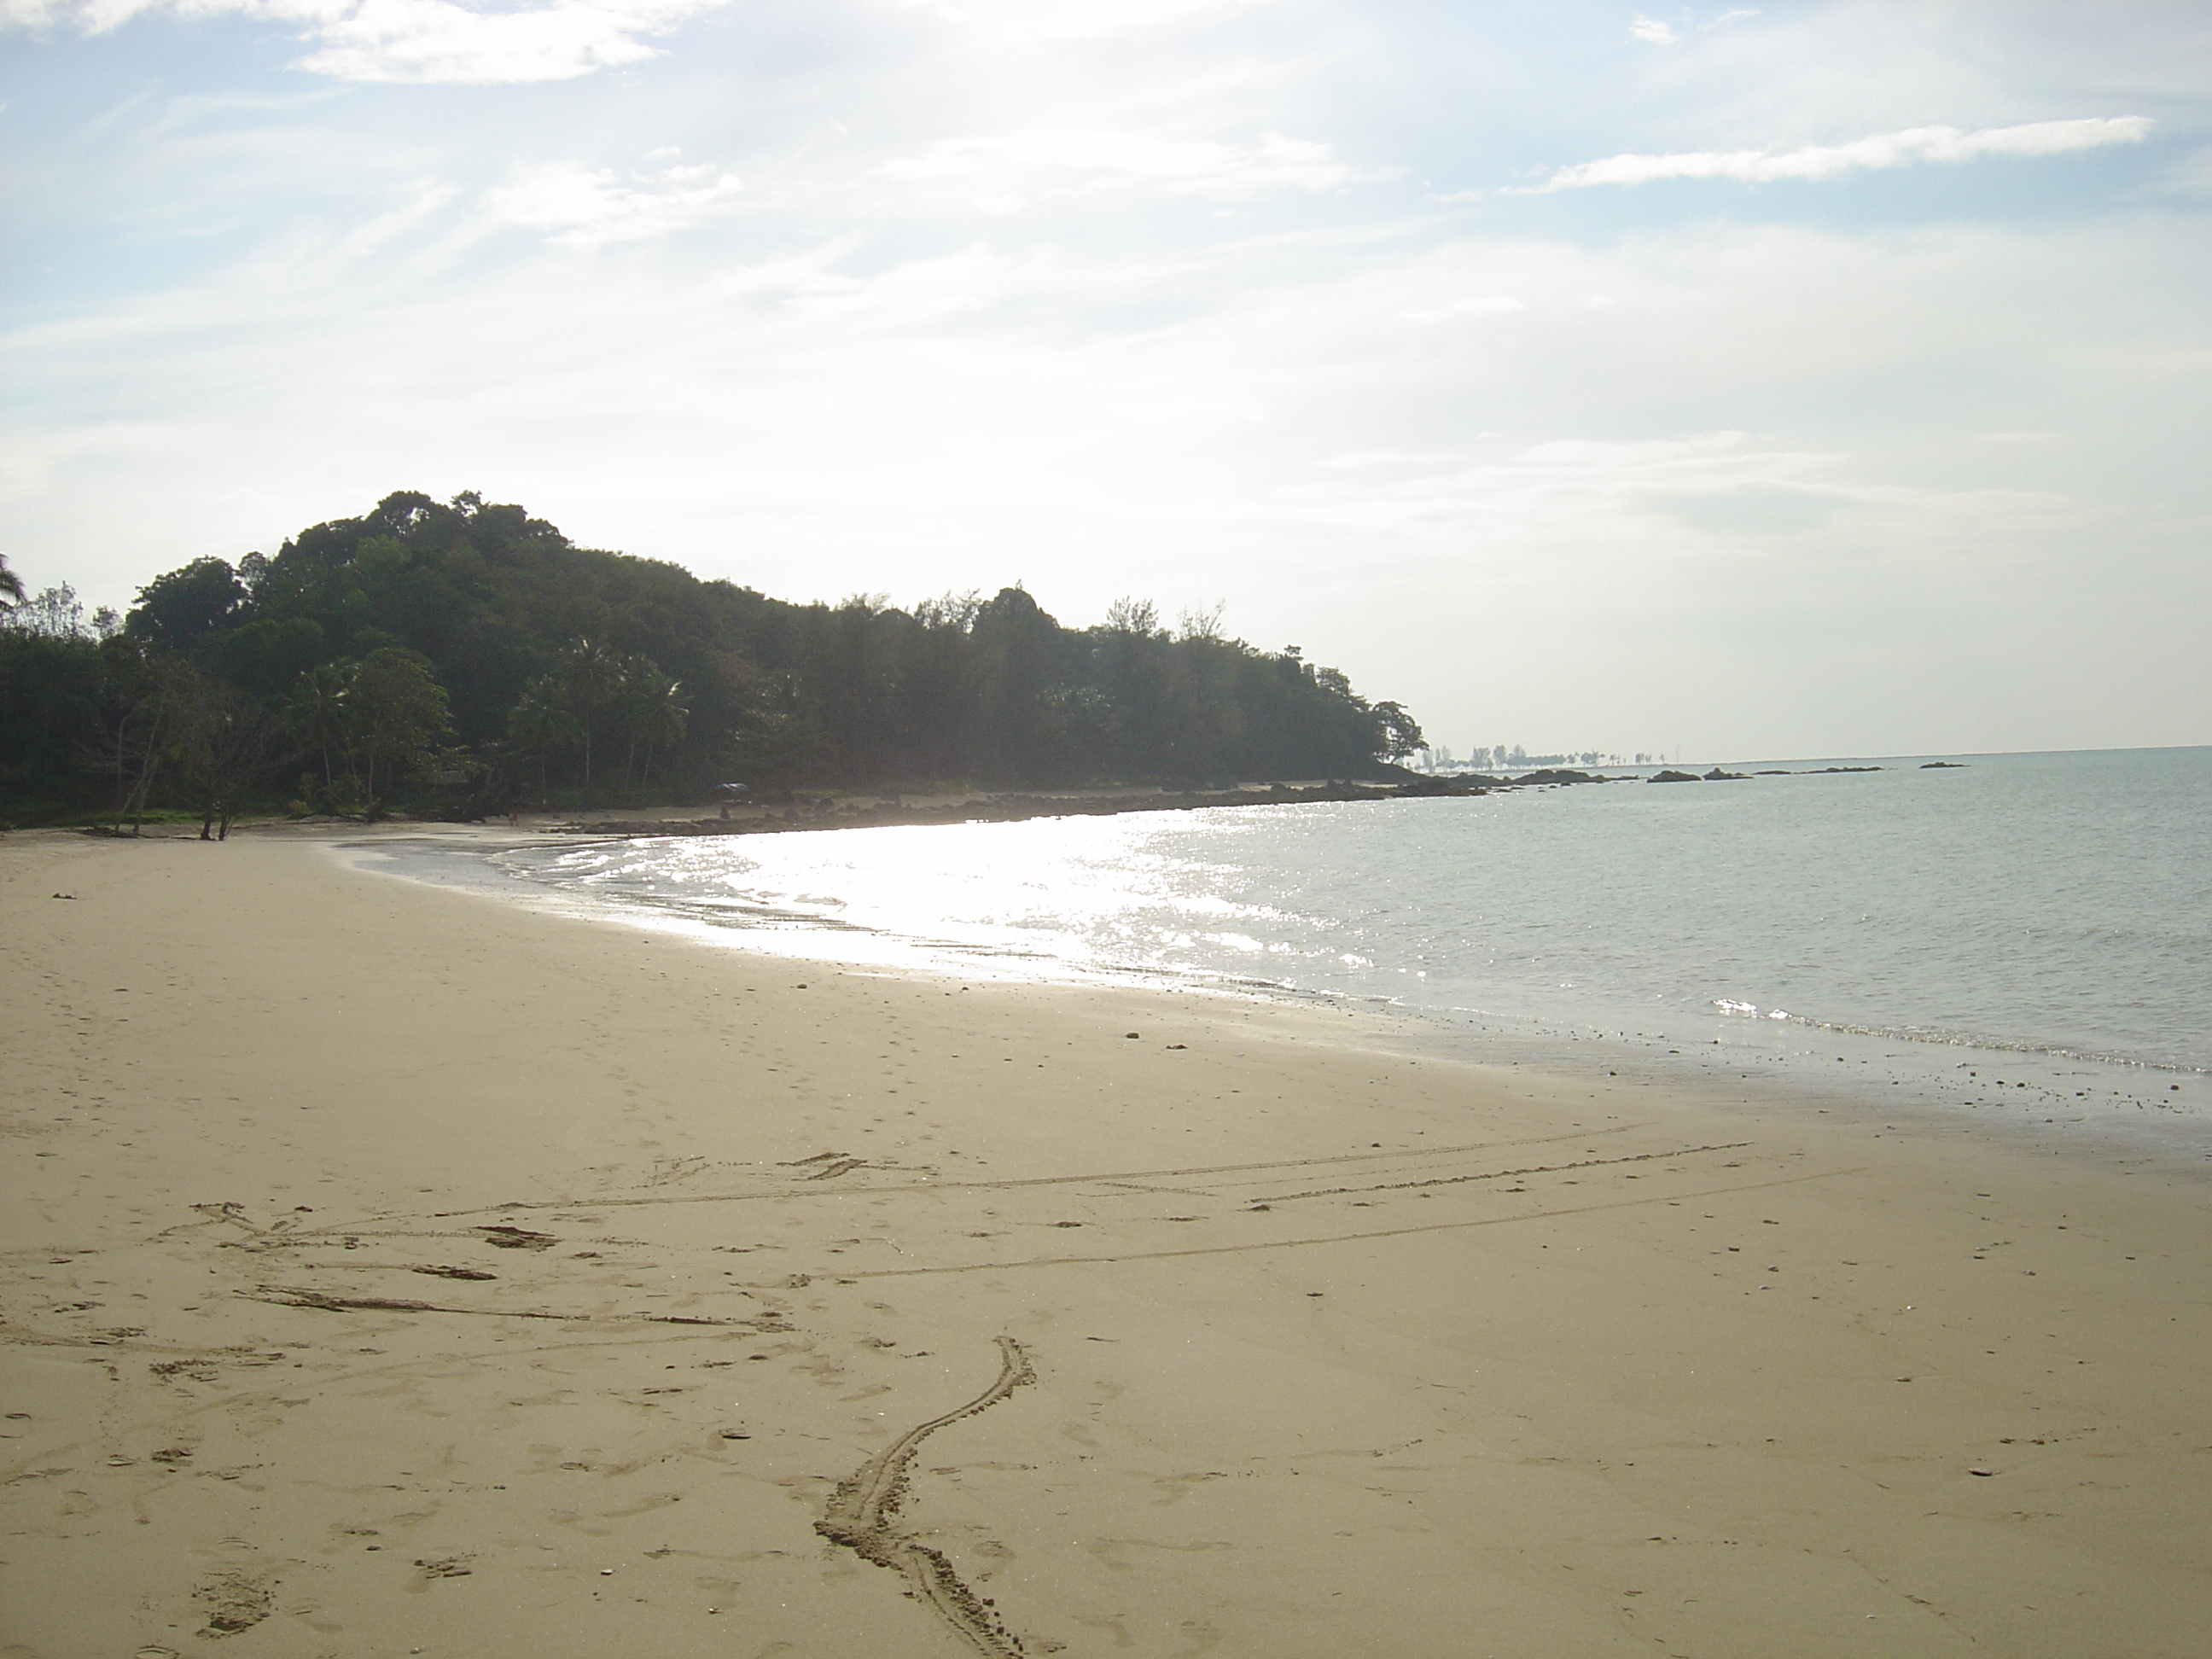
x=1762, y=382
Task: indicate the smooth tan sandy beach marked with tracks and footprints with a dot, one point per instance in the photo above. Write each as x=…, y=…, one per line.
x=393, y=1271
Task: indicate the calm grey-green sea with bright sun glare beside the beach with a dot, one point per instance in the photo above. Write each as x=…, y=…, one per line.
x=2045, y=919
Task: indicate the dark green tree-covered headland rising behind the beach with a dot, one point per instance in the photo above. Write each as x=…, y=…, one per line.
x=468, y=658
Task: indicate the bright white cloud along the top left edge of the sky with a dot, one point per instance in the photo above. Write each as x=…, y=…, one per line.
x=417, y=41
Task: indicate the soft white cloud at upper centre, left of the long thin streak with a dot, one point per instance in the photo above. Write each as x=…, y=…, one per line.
x=1008, y=169
